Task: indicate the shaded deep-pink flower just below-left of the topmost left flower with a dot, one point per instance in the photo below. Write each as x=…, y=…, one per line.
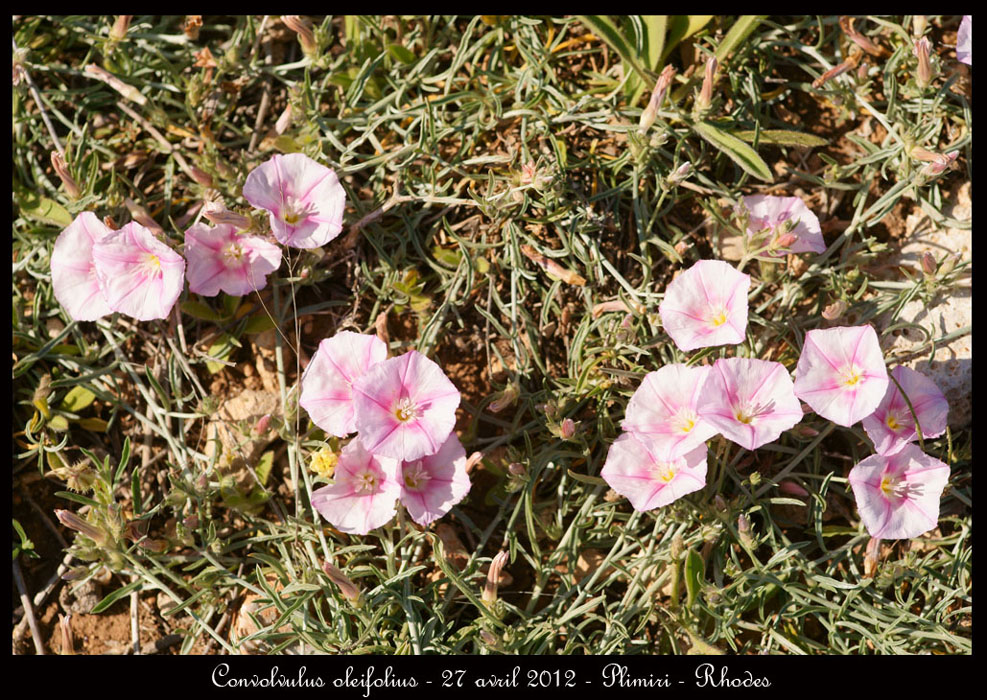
x=220, y=260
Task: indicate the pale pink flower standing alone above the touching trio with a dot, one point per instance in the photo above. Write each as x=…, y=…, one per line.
x=706, y=305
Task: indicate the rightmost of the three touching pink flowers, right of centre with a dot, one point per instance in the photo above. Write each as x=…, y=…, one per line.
x=750, y=402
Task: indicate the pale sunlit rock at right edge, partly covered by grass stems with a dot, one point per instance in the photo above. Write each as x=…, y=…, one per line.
x=950, y=310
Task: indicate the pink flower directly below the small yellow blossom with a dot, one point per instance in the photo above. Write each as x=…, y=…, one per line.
x=364, y=493
